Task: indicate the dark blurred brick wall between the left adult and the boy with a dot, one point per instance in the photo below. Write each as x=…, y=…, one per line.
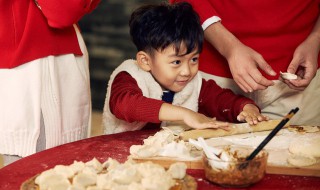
x=106, y=33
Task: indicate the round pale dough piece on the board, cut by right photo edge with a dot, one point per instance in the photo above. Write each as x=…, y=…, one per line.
x=307, y=145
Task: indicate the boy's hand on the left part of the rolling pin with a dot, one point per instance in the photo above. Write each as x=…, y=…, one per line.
x=200, y=121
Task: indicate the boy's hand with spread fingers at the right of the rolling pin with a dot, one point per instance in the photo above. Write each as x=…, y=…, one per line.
x=251, y=115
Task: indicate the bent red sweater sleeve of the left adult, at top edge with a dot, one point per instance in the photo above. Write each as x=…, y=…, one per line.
x=64, y=13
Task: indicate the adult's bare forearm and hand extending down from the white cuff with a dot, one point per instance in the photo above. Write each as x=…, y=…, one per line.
x=243, y=61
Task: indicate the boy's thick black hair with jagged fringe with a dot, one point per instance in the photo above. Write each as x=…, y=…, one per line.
x=155, y=27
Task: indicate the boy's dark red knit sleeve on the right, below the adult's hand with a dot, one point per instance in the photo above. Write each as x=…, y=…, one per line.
x=223, y=104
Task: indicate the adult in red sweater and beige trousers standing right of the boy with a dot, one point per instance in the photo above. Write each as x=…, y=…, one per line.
x=247, y=44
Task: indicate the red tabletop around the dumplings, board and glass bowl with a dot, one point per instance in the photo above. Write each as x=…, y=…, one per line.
x=117, y=146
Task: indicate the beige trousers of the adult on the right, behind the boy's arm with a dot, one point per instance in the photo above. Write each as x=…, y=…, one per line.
x=276, y=101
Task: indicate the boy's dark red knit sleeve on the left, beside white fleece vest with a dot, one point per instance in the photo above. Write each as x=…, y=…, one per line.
x=128, y=103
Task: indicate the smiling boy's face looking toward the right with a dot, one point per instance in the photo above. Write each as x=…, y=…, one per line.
x=173, y=72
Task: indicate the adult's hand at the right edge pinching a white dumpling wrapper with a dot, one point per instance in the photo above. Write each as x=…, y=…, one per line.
x=305, y=60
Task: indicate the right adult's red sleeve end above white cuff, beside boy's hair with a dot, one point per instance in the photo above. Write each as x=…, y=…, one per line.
x=203, y=7
